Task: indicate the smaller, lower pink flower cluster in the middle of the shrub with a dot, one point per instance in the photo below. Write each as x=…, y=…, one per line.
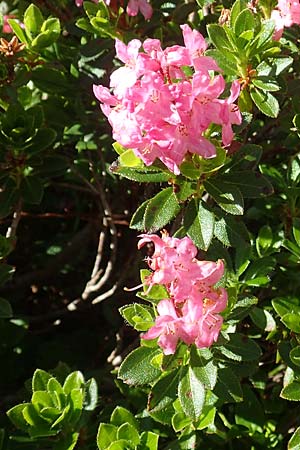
x=191, y=312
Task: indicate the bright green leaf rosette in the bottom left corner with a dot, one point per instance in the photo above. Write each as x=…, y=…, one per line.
x=55, y=412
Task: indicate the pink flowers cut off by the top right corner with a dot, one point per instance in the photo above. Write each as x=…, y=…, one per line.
x=286, y=15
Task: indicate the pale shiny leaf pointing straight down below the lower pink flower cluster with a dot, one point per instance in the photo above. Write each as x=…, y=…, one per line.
x=191, y=392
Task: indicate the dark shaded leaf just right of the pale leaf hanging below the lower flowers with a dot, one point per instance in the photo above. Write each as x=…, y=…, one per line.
x=228, y=387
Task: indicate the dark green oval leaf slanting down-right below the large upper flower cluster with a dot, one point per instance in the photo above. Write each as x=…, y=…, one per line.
x=226, y=195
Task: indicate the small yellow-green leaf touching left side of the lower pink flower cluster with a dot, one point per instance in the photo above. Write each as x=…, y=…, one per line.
x=141, y=317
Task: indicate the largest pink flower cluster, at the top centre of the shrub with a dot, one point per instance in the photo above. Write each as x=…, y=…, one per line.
x=163, y=101
